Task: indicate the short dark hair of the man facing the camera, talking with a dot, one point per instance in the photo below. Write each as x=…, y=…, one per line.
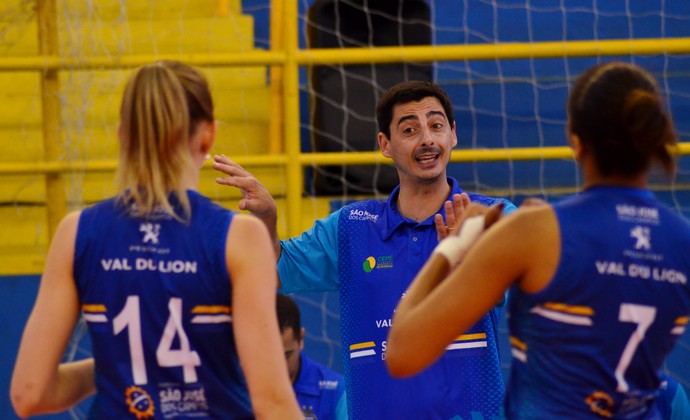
x=405, y=92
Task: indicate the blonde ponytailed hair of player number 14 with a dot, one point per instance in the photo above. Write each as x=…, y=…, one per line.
x=161, y=106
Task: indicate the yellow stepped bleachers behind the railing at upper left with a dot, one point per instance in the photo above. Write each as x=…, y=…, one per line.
x=91, y=98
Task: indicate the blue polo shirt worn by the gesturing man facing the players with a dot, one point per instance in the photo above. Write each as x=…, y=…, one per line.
x=370, y=253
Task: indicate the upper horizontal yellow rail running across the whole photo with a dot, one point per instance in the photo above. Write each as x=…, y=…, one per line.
x=429, y=53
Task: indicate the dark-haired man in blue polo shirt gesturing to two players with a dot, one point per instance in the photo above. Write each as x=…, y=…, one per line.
x=371, y=250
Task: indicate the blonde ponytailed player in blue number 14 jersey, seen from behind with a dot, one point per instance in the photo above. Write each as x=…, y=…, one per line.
x=180, y=307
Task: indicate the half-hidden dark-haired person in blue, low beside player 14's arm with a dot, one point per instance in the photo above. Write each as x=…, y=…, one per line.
x=320, y=391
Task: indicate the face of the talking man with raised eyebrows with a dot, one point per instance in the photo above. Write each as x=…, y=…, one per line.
x=421, y=140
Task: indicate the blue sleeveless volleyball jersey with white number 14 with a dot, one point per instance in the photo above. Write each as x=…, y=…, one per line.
x=156, y=296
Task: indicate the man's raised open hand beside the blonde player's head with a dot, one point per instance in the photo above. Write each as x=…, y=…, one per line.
x=255, y=197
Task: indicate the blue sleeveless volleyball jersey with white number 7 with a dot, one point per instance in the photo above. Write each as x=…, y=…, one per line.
x=592, y=342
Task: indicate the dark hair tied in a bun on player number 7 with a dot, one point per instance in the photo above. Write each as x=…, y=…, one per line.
x=617, y=112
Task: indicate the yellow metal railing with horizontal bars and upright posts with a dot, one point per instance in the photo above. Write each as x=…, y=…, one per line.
x=285, y=58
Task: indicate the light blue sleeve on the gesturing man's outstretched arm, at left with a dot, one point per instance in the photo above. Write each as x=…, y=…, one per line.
x=309, y=262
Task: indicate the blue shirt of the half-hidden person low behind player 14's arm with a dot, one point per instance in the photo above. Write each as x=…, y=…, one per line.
x=320, y=391
